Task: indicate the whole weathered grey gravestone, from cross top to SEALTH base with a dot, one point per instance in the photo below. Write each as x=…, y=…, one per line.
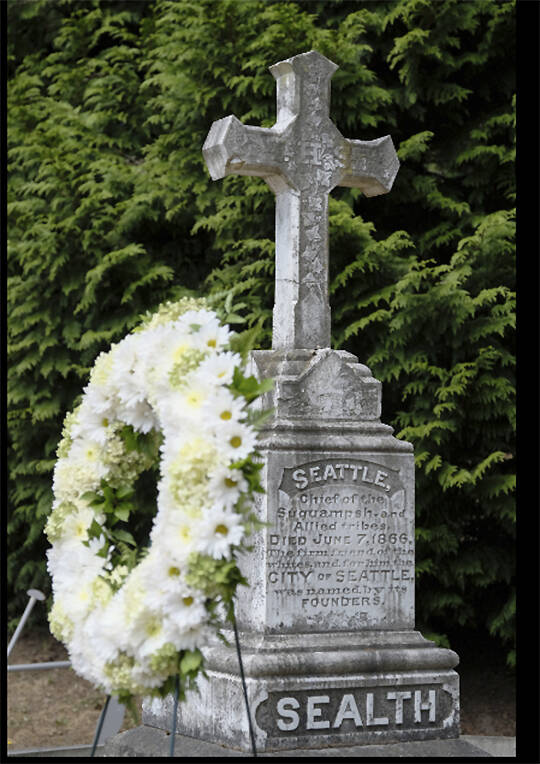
x=330, y=651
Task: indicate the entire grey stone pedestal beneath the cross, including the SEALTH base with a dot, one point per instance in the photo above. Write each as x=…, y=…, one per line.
x=330, y=653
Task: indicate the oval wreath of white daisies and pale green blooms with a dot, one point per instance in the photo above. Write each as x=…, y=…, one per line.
x=171, y=394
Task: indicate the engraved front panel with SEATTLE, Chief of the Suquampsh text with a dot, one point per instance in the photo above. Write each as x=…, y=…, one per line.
x=341, y=548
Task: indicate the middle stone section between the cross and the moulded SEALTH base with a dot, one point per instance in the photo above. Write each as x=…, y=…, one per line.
x=338, y=549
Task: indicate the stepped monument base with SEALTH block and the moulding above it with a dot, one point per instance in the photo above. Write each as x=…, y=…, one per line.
x=311, y=691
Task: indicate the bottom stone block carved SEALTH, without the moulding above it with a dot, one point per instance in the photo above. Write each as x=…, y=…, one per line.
x=313, y=711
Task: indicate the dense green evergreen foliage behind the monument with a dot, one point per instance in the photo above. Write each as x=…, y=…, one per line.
x=112, y=211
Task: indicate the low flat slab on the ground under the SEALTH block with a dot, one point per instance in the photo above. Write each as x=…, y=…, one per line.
x=146, y=742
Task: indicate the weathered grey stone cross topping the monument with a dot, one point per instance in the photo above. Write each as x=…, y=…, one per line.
x=302, y=158
